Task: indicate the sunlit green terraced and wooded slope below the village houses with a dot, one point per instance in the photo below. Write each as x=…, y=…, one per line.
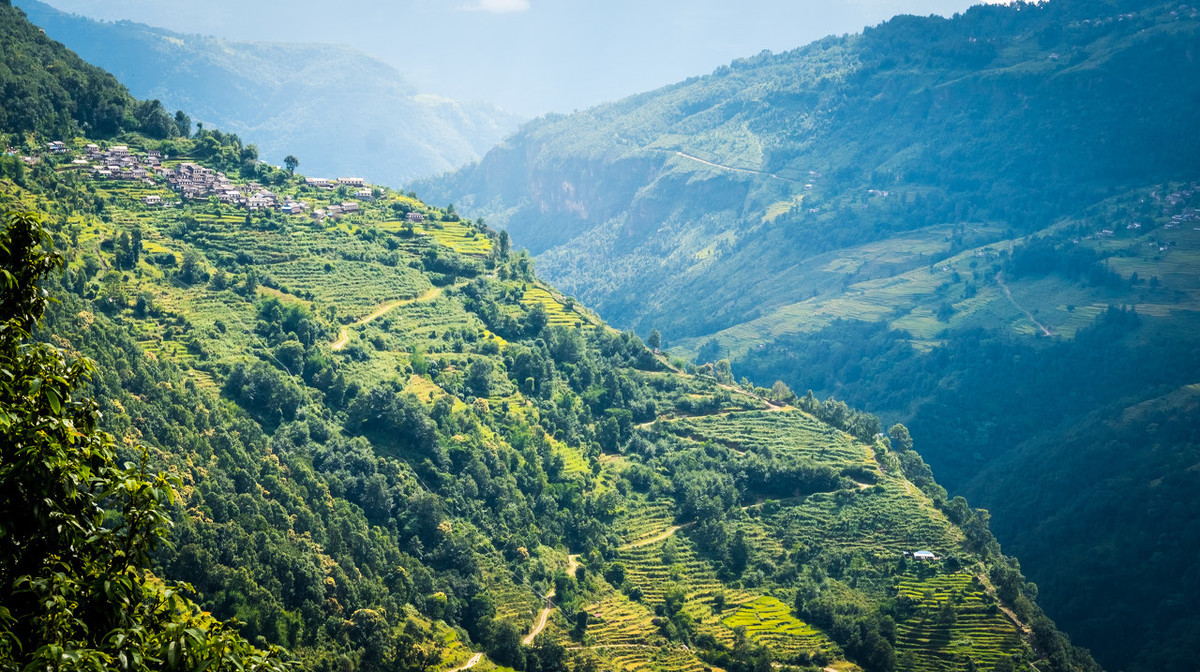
x=425, y=437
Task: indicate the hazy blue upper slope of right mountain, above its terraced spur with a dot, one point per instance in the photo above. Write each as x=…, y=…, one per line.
x=1010, y=117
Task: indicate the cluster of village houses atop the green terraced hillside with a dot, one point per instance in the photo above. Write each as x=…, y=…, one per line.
x=193, y=182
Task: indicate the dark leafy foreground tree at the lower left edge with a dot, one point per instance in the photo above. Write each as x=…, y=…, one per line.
x=79, y=529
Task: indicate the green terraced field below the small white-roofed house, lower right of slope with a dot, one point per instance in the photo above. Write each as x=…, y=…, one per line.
x=932, y=641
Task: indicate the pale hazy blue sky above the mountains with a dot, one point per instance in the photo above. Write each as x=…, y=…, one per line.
x=529, y=56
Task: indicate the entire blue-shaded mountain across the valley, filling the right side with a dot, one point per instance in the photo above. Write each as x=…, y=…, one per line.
x=983, y=227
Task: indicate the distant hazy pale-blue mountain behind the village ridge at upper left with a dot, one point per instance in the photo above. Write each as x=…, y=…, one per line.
x=339, y=111
